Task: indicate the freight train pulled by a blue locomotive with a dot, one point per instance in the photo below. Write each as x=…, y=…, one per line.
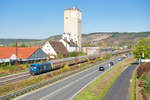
x=39, y=68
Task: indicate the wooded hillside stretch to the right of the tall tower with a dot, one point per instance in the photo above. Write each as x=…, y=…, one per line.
x=119, y=39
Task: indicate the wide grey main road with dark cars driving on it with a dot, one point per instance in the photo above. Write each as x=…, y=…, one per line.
x=68, y=87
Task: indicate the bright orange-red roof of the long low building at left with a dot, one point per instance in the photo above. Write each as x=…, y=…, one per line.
x=7, y=52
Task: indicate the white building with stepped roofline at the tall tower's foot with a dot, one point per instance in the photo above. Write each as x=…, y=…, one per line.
x=68, y=43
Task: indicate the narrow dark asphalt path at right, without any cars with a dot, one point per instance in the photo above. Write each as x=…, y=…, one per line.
x=120, y=89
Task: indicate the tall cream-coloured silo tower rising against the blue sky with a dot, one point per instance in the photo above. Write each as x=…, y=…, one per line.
x=72, y=25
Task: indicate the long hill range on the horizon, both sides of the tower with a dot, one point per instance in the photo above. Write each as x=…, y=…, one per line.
x=91, y=39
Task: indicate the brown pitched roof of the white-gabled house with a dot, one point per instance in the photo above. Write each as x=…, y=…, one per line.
x=59, y=47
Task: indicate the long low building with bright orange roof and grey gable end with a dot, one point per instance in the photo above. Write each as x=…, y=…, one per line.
x=30, y=53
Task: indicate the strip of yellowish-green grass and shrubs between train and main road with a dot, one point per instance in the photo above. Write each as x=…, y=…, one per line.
x=11, y=87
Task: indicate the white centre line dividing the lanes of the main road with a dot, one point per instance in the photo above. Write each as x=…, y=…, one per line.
x=67, y=85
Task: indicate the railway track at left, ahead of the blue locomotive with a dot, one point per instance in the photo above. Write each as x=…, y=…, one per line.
x=13, y=78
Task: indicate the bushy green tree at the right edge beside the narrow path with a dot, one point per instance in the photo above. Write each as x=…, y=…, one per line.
x=142, y=49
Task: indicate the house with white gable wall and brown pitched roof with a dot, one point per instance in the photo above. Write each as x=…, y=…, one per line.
x=54, y=48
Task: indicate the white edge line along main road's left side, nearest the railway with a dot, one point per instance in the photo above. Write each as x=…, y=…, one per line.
x=18, y=98
